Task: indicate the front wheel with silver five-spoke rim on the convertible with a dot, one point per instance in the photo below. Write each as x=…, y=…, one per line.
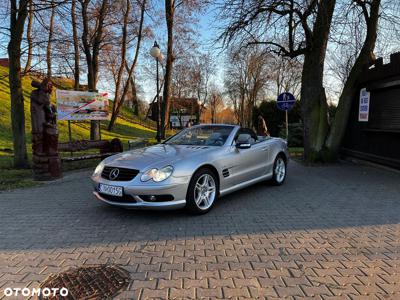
x=202, y=192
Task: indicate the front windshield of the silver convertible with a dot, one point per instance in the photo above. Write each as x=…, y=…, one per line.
x=207, y=135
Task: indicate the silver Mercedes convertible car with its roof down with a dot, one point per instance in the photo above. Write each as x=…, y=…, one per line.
x=191, y=169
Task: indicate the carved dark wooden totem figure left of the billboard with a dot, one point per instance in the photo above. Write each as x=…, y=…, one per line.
x=46, y=160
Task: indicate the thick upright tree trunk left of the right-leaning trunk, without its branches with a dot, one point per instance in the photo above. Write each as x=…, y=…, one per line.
x=314, y=105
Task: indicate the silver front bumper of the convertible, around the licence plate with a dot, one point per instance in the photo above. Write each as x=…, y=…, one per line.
x=133, y=192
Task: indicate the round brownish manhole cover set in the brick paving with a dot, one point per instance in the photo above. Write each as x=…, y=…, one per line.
x=87, y=282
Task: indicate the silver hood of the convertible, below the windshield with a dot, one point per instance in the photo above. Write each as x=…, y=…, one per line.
x=156, y=156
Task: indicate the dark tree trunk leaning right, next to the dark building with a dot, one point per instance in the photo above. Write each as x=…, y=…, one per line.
x=365, y=58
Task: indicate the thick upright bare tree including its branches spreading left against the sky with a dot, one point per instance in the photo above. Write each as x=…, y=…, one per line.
x=306, y=27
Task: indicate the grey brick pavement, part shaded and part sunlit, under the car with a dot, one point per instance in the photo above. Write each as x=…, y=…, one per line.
x=330, y=232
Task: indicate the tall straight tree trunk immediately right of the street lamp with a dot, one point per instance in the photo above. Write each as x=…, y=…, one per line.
x=169, y=15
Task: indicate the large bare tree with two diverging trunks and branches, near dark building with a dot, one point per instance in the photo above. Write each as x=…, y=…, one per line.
x=308, y=28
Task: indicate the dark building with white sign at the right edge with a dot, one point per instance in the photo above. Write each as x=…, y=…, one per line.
x=373, y=131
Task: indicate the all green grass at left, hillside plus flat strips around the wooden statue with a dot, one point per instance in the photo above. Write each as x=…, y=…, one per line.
x=11, y=178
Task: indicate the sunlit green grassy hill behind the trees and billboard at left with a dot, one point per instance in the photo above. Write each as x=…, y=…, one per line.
x=124, y=129
